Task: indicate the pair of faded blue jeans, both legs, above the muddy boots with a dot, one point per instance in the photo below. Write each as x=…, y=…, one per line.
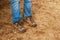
x=16, y=14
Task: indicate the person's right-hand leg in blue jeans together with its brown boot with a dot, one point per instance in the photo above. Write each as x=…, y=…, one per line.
x=28, y=12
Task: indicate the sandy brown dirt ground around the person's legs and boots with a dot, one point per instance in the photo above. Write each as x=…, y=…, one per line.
x=47, y=16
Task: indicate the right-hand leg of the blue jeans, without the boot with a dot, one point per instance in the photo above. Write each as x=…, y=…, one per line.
x=27, y=8
